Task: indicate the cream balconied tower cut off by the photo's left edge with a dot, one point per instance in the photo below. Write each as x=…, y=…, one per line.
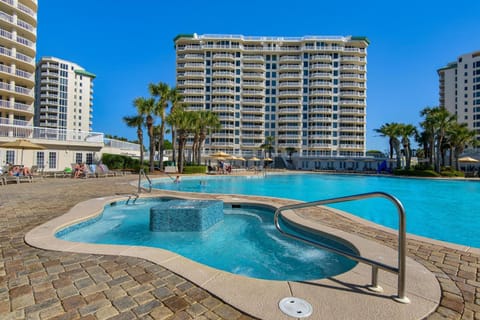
x=18, y=35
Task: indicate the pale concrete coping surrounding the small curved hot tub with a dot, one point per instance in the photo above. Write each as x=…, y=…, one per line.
x=260, y=298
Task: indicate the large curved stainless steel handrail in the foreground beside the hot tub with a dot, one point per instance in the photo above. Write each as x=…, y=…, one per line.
x=400, y=269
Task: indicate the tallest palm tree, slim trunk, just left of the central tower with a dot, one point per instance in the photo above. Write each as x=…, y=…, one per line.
x=161, y=94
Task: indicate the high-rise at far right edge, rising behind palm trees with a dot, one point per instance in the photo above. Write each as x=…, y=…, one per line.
x=460, y=89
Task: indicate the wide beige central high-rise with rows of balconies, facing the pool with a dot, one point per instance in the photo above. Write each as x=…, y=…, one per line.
x=308, y=93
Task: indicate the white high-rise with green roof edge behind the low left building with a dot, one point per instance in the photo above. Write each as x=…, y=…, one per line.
x=63, y=95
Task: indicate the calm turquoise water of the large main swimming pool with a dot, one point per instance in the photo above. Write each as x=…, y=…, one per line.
x=439, y=209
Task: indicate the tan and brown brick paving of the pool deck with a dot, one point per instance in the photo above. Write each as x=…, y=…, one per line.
x=40, y=284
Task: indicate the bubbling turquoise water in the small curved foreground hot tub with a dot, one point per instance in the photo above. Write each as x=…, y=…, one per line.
x=246, y=242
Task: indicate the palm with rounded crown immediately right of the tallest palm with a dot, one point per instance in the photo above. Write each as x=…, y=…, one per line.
x=183, y=122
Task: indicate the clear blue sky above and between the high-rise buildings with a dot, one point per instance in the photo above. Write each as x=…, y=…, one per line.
x=130, y=44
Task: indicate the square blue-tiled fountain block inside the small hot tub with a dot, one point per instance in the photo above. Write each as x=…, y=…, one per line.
x=186, y=215
